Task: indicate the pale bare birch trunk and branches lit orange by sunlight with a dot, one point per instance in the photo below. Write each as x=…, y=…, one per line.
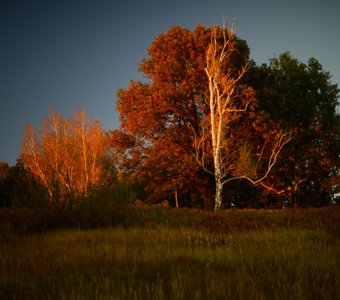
x=224, y=93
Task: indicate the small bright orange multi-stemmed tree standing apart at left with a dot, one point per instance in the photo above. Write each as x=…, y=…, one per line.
x=65, y=154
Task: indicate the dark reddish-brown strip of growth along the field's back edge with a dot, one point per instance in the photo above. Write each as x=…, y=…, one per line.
x=101, y=213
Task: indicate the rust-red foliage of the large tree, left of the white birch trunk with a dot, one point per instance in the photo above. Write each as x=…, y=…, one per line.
x=159, y=117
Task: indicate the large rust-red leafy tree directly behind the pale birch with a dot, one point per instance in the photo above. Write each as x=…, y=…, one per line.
x=162, y=118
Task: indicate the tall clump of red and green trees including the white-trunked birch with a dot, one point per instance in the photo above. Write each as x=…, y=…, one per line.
x=206, y=114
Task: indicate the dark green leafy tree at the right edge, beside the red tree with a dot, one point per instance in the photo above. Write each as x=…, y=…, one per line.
x=301, y=98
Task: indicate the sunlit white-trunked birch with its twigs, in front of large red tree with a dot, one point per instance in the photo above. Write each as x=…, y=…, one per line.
x=228, y=98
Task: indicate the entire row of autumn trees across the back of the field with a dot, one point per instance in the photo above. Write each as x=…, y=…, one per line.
x=207, y=128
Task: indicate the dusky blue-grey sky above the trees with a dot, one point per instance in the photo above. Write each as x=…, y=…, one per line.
x=72, y=54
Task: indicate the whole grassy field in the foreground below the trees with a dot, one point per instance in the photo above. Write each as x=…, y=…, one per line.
x=273, y=256
